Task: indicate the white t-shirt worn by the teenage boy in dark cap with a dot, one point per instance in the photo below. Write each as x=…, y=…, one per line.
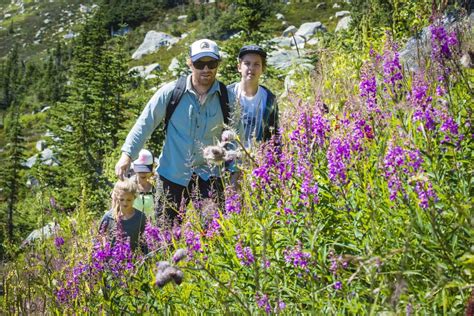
x=252, y=112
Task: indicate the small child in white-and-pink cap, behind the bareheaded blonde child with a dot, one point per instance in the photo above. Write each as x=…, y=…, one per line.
x=143, y=168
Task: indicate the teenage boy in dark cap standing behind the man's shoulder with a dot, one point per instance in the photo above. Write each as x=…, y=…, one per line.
x=257, y=103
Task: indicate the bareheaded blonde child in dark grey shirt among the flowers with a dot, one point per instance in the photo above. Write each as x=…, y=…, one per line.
x=123, y=217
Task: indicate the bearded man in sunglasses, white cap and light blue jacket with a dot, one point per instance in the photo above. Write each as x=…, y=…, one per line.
x=197, y=122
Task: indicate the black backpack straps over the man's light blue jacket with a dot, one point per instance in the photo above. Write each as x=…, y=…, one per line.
x=178, y=93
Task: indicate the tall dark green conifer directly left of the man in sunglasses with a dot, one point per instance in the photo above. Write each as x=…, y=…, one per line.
x=87, y=123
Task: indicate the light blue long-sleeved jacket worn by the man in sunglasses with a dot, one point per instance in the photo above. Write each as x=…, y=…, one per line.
x=192, y=127
